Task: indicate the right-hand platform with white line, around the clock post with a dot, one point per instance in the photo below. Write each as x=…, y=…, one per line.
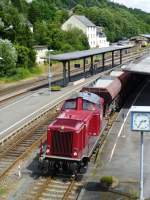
x=120, y=156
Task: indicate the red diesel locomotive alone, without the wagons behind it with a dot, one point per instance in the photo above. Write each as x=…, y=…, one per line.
x=75, y=132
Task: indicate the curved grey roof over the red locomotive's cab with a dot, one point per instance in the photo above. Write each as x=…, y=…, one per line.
x=91, y=97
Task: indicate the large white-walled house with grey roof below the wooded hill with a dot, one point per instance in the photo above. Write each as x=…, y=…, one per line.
x=96, y=36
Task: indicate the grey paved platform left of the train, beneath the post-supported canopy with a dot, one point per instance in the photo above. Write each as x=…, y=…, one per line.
x=18, y=113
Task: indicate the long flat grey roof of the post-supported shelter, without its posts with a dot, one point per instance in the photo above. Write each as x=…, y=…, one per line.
x=87, y=53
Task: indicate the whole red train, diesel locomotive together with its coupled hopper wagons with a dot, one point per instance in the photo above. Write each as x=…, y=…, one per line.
x=74, y=134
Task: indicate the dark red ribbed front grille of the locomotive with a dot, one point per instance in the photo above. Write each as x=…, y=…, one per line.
x=62, y=143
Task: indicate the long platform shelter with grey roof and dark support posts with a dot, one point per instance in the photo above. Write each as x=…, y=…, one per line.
x=66, y=58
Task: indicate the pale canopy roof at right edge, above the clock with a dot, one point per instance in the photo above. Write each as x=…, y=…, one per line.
x=142, y=67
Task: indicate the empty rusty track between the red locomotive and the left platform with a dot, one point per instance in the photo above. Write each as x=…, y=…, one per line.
x=22, y=144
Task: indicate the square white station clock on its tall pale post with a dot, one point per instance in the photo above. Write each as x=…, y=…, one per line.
x=140, y=121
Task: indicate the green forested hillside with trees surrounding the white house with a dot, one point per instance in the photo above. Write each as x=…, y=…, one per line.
x=46, y=17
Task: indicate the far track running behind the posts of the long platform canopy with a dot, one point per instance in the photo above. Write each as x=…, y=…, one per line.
x=12, y=92
